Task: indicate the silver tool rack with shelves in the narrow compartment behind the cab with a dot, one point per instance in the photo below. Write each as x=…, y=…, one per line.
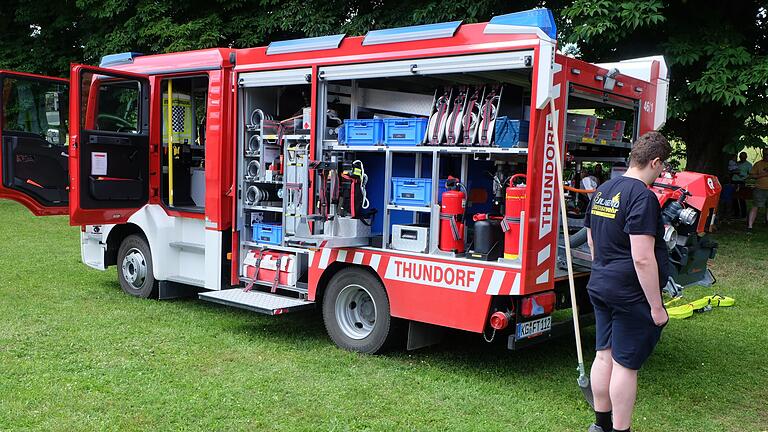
x=261, y=140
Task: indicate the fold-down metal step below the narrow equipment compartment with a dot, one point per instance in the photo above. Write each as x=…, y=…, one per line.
x=257, y=301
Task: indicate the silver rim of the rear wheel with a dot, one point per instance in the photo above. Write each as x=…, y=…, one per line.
x=355, y=311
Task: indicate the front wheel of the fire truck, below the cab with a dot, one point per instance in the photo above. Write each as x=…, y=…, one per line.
x=134, y=267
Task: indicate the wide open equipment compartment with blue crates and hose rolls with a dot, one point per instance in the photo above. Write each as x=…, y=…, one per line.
x=431, y=102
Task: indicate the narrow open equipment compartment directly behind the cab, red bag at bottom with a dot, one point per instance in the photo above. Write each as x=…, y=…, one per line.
x=272, y=176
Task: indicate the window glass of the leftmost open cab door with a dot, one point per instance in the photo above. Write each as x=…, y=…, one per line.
x=36, y=107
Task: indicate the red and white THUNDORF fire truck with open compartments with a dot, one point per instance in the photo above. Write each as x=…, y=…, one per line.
x=405, y=178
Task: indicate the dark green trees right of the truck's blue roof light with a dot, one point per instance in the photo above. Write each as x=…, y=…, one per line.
x=717, y=53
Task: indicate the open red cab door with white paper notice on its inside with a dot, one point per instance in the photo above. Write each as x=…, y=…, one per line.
x=109, y=154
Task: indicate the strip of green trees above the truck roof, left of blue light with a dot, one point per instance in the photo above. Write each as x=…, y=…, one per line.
x=44, y=36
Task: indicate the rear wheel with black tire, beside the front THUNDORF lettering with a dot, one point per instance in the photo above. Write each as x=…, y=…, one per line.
x=357, y=282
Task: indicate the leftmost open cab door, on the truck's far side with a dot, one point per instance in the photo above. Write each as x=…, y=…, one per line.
x=34, y=142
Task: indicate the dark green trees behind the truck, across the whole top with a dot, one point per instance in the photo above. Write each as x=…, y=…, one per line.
x=716, y=51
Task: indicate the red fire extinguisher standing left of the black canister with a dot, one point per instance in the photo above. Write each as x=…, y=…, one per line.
x=453, y=202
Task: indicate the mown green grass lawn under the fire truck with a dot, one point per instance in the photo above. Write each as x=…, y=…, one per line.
x=77, y=354
